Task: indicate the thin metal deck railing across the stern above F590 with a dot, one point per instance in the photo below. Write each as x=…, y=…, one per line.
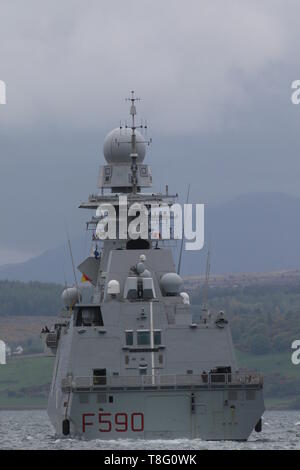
x=211, y=380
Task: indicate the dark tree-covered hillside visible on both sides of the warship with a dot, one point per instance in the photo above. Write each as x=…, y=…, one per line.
x=264, y=319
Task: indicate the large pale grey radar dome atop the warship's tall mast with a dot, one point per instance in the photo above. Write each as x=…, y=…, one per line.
x=117, y=146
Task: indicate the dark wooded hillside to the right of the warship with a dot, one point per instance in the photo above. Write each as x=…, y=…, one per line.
x=264, y=319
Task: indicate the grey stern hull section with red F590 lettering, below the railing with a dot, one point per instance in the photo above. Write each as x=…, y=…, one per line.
x=161, y=414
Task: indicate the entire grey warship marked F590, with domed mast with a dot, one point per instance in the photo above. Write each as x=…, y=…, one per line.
x=134, y=362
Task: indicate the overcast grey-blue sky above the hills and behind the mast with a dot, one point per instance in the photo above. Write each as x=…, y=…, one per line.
x=214, y=79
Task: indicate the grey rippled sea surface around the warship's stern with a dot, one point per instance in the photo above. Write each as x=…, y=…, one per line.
x=32, y=430
